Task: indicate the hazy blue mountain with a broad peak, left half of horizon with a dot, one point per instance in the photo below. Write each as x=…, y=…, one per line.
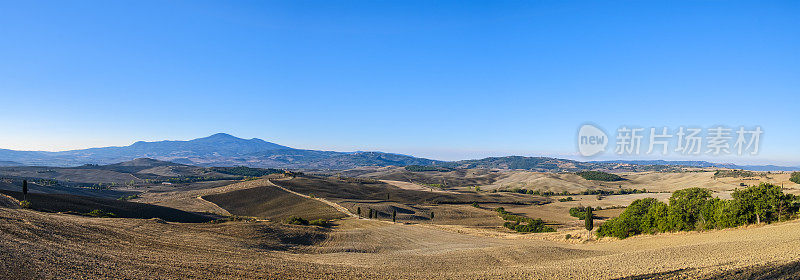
x=216, y=150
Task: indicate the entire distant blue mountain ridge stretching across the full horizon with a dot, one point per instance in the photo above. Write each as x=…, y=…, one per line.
x=226, y=150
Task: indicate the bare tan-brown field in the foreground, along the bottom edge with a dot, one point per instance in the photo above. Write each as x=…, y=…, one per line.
x=47, y=246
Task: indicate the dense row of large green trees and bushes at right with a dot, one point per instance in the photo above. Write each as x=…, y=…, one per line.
x=695, y=209
